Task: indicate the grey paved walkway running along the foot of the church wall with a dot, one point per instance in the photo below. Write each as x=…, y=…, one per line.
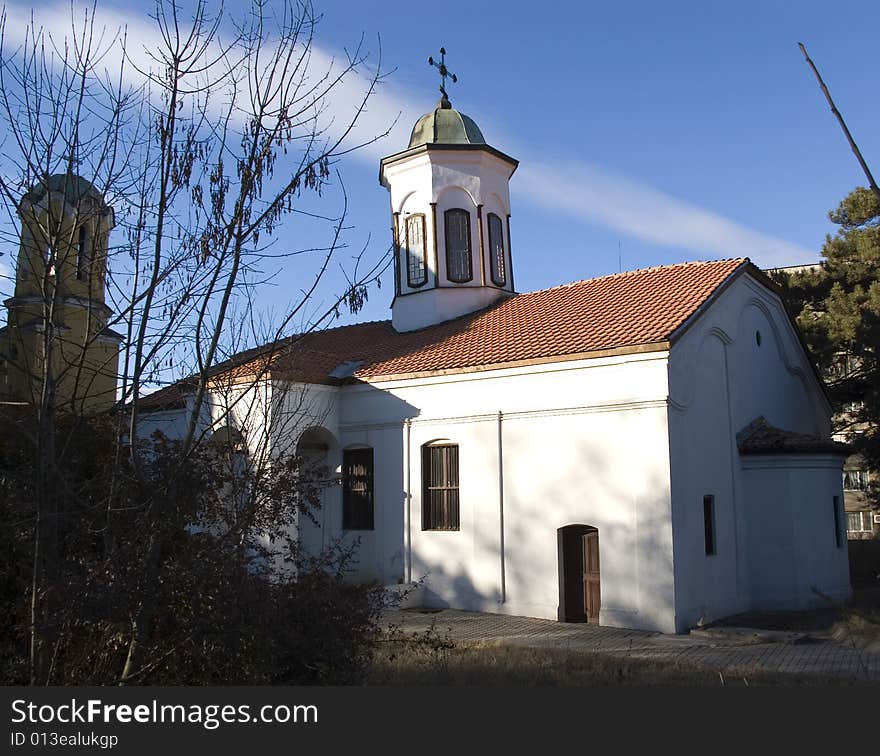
x=735, y=652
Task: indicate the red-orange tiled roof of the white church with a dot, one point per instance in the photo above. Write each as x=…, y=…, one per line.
x=566, y=322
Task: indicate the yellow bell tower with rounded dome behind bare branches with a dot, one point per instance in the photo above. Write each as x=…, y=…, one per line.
x=57, y=320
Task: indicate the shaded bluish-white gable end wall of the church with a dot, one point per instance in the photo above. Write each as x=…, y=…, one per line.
x=739, y=360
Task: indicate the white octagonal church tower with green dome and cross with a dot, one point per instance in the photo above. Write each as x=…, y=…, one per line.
x=450, y=208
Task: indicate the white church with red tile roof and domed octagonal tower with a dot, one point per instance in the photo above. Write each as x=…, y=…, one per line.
x=648, y=449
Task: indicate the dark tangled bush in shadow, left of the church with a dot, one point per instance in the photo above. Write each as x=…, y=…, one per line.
x=163, y=546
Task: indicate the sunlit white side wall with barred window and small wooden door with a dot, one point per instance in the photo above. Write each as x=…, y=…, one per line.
x=580, y=443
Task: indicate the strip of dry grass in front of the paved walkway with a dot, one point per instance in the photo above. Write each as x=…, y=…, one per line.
x=505, y=665
